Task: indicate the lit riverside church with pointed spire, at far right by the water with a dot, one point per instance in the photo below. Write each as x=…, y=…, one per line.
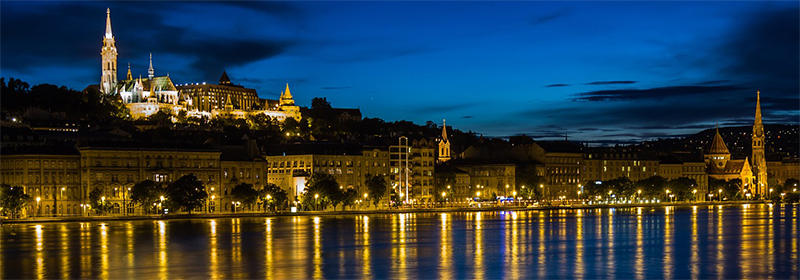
x=719, y=164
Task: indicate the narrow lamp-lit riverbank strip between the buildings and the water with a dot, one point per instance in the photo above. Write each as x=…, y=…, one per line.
x=360, y=212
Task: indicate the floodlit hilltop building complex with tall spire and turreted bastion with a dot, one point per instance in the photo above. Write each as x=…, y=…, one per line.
x=146, y=96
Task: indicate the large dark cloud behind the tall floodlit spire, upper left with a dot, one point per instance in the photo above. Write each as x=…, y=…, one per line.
x=28, y=36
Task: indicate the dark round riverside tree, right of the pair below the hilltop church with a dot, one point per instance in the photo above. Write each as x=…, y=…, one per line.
x=186, y=193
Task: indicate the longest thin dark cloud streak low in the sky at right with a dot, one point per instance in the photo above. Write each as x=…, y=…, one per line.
x=652, y=93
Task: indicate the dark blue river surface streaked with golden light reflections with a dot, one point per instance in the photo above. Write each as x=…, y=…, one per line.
x=754, y=241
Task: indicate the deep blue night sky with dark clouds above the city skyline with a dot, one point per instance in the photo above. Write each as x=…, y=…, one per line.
x=593, y=70
